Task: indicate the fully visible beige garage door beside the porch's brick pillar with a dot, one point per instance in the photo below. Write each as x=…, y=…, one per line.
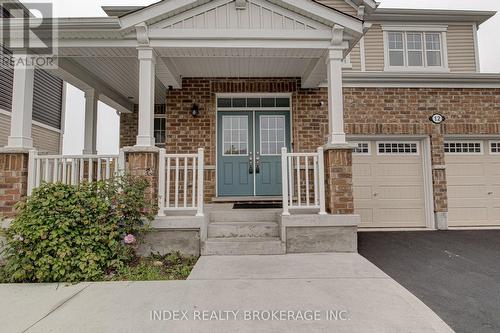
x=389, y=184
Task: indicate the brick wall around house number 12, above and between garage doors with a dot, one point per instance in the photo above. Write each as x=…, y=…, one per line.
x=406, y=111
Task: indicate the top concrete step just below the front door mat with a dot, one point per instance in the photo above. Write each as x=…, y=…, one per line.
x=244, y=215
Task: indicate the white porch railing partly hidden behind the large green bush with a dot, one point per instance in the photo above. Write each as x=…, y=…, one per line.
x=71, y=169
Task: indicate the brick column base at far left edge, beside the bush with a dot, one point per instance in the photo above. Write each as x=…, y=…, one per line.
x=13, y=179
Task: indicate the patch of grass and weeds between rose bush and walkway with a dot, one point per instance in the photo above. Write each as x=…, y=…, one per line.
x=173, y=266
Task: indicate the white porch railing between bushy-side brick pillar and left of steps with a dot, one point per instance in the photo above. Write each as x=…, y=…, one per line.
x=180, y=182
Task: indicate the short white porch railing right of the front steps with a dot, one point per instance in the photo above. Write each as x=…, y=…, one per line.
x=303, y=181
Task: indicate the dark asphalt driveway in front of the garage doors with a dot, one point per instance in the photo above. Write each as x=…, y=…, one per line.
x=455, y=273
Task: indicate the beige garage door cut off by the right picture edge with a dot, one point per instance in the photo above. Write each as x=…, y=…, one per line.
x=473, y=175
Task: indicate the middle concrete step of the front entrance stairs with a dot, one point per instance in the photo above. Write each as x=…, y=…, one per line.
x=242, y=229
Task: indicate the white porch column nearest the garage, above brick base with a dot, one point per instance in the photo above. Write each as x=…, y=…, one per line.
x=335, y=96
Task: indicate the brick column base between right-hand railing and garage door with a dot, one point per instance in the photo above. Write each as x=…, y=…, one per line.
x=338, y=179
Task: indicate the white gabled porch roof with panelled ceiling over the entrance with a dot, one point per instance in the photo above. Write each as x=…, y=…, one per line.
x=199, y=38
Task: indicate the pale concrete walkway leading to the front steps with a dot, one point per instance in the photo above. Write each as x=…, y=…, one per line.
x=341, y=292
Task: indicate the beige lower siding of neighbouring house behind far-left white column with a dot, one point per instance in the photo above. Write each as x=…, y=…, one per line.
x=44, y=139
